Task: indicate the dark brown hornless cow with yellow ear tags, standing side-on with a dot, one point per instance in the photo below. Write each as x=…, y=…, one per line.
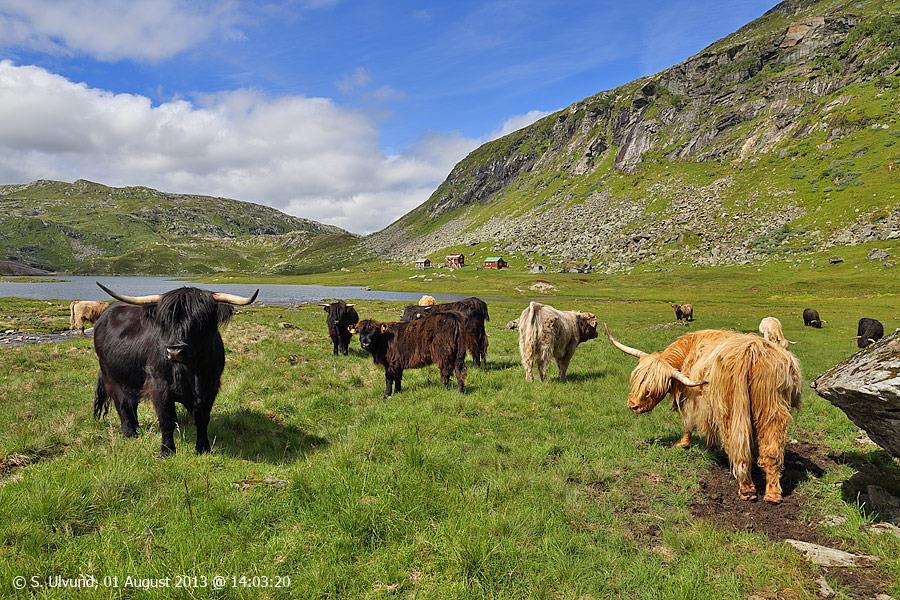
x=436, y=339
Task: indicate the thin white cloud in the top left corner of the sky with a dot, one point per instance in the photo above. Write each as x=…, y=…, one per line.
x=112, y=30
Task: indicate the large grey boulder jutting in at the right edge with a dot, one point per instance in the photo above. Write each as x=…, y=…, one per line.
x=866, y=386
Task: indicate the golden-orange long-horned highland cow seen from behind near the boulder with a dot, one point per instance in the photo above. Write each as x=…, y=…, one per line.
x=737, y=390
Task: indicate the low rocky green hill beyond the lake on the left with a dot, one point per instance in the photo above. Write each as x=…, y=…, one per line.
x=86, y=227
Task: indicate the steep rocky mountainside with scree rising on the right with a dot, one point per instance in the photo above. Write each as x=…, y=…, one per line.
x=776, y=140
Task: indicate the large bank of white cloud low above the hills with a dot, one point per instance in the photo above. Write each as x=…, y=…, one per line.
x=307, y=156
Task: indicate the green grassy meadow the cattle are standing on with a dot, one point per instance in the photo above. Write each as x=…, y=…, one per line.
x=512, y=490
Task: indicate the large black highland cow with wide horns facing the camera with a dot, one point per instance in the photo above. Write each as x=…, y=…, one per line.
x=166, y=347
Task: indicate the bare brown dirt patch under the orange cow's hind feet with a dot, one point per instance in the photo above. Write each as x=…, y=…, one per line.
x=718, y=502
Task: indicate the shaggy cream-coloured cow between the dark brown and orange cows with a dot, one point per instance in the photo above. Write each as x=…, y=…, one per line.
x=545, y=332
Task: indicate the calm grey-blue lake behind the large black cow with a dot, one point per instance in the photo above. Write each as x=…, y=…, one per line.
x=85, y=288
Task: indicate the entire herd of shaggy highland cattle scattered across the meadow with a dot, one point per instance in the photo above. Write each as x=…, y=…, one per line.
x=734, y=389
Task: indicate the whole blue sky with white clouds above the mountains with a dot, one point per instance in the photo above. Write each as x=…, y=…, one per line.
x=350, y=112
